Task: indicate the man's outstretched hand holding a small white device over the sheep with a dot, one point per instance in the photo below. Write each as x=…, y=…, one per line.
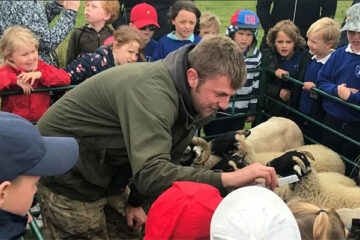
x=248, y=176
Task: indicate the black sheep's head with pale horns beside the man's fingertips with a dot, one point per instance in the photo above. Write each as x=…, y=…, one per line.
x=292, y=162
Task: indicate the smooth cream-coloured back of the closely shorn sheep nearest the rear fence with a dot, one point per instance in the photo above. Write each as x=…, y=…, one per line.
x=275, y=134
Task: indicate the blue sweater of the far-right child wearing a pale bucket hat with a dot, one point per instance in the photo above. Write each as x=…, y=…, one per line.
x=342, y=67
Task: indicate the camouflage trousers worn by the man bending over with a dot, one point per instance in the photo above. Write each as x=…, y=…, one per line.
x=66, y=218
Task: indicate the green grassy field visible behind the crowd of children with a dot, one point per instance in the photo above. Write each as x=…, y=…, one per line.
x=224, y=9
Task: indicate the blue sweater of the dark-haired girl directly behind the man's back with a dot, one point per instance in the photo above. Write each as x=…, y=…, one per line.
x=167, y=44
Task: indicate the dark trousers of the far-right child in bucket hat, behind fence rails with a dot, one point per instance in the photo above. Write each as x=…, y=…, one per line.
x=340, y=145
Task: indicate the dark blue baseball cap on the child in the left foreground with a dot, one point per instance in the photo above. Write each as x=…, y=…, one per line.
x=23, y=151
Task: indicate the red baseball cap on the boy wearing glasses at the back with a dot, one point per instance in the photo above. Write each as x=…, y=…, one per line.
x=143, y=14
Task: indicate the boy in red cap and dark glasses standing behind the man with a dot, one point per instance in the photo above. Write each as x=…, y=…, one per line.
x=143, y=18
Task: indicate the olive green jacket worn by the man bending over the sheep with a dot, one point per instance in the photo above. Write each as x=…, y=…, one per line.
x=132, y=120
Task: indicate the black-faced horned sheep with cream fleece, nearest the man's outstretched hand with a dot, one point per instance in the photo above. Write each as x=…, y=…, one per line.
x=311, y=188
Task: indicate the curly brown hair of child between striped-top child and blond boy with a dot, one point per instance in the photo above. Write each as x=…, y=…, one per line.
x=290, y=29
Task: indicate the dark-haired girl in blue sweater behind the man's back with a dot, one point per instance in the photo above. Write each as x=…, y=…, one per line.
x=184, y=16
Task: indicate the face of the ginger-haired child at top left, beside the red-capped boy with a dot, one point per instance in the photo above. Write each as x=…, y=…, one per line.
x=95, y=14
